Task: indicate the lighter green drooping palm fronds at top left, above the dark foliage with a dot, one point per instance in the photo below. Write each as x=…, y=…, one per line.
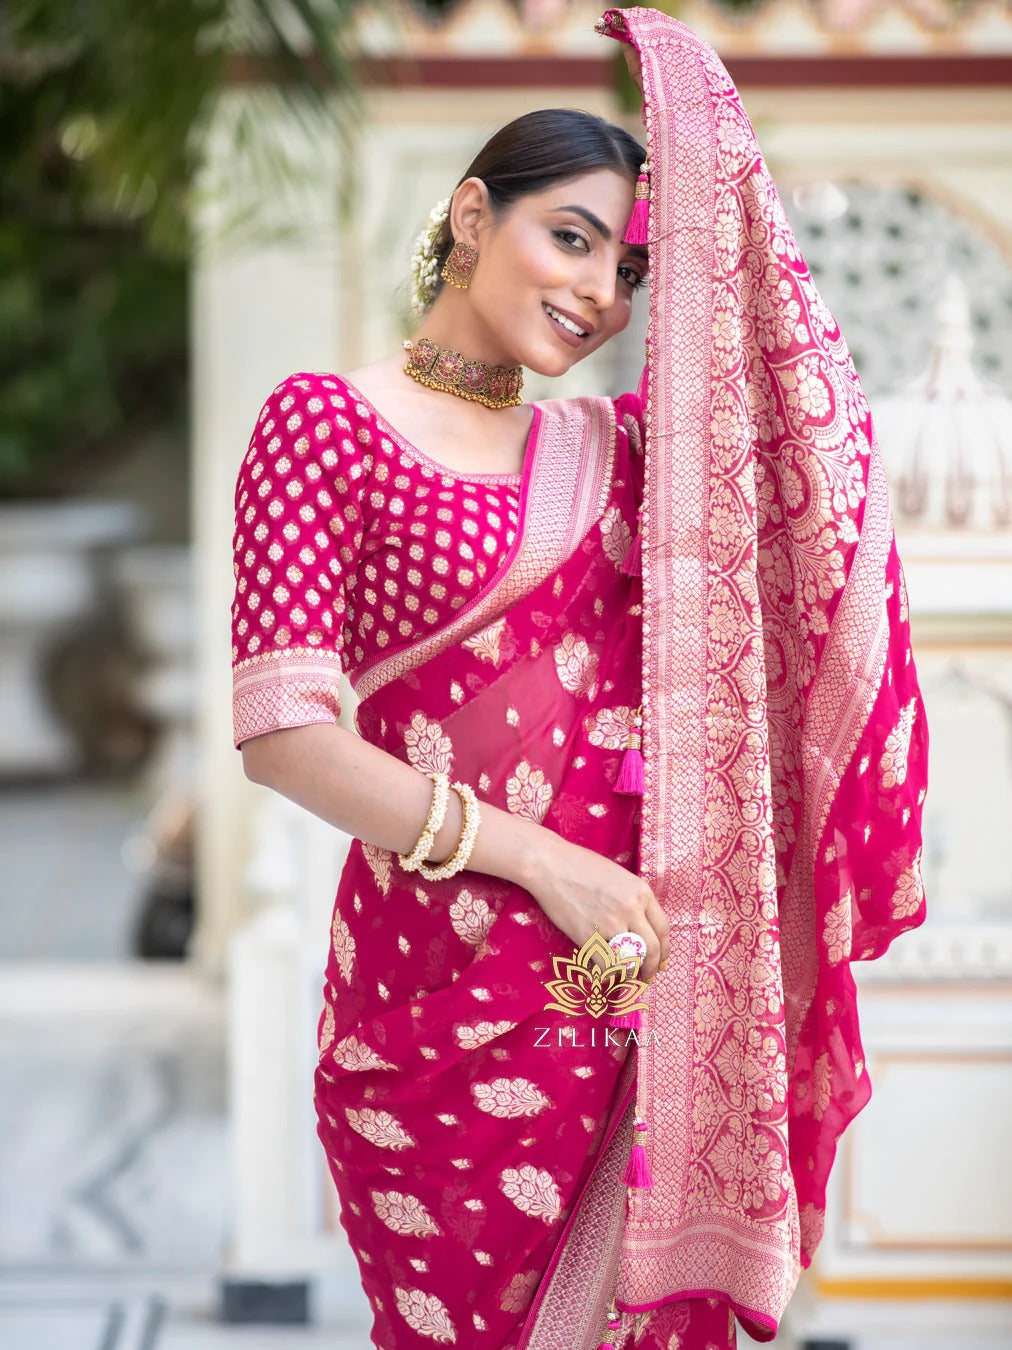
x=148, y=79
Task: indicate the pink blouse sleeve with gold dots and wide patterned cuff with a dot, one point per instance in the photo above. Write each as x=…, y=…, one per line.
x=298, y=535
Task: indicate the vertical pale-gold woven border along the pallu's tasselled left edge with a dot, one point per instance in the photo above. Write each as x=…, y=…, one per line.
x=675, y=662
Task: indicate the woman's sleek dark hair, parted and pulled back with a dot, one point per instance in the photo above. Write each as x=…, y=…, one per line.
x=539, y=149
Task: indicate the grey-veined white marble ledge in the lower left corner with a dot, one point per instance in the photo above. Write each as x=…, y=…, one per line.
x=114, y=1212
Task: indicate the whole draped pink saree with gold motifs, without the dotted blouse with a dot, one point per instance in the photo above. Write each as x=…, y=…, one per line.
x=480, y=1143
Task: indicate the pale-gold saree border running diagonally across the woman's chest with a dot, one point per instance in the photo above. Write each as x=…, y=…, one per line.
x=565, y=491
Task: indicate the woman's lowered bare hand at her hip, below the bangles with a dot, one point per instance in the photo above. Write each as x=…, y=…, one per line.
x=578, y=889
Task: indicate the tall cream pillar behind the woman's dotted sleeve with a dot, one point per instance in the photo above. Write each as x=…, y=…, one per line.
x=261, y=310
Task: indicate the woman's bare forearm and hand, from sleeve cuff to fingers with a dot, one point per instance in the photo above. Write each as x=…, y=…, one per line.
x=378, y=799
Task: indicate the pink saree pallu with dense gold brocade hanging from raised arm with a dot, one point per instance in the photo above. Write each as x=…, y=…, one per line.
x=785, y=739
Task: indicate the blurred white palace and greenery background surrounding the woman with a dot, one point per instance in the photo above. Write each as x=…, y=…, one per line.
x=198, y=199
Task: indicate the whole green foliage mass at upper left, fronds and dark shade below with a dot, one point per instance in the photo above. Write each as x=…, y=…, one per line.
x=105, y=106
